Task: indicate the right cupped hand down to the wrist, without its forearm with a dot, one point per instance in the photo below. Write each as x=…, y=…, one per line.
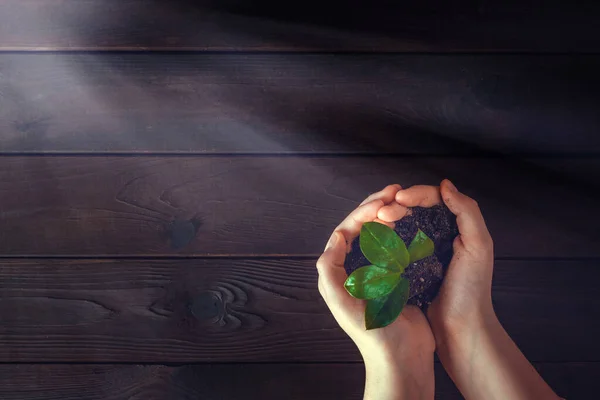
x=464, y=302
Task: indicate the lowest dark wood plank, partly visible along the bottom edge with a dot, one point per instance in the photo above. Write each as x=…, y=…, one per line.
x=238, y=382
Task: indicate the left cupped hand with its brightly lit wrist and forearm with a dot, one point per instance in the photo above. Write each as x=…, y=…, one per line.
x=399, y=357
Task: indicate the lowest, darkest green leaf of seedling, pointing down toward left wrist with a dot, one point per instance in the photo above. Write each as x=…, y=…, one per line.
x=384, y=310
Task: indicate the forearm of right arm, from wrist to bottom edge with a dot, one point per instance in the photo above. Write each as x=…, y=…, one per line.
x=487, y=364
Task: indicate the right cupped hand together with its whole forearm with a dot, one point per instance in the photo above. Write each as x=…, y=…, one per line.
x=474, y=348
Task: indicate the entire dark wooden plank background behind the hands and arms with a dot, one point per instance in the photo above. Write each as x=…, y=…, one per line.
x=170, y=171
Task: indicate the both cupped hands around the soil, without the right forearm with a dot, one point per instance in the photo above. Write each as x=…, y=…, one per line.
x=404, y=349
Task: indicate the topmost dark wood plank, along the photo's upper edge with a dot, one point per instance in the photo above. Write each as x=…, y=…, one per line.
x=301, y=26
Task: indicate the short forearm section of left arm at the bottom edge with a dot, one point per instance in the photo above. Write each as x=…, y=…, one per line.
x=396, y=380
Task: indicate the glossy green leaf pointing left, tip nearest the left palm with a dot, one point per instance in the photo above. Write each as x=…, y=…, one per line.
x=371, y=282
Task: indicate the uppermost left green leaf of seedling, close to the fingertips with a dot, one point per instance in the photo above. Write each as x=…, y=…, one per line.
x=383, y=247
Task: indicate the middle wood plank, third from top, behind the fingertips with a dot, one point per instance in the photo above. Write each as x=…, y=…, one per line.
x=268, y=205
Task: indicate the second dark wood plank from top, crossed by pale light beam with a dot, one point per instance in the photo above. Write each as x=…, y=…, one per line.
x=286, y=103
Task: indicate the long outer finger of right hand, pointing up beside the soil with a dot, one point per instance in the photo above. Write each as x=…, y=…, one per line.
x=471, y=225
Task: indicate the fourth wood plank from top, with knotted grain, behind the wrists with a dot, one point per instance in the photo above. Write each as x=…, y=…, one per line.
x=268, y=310
